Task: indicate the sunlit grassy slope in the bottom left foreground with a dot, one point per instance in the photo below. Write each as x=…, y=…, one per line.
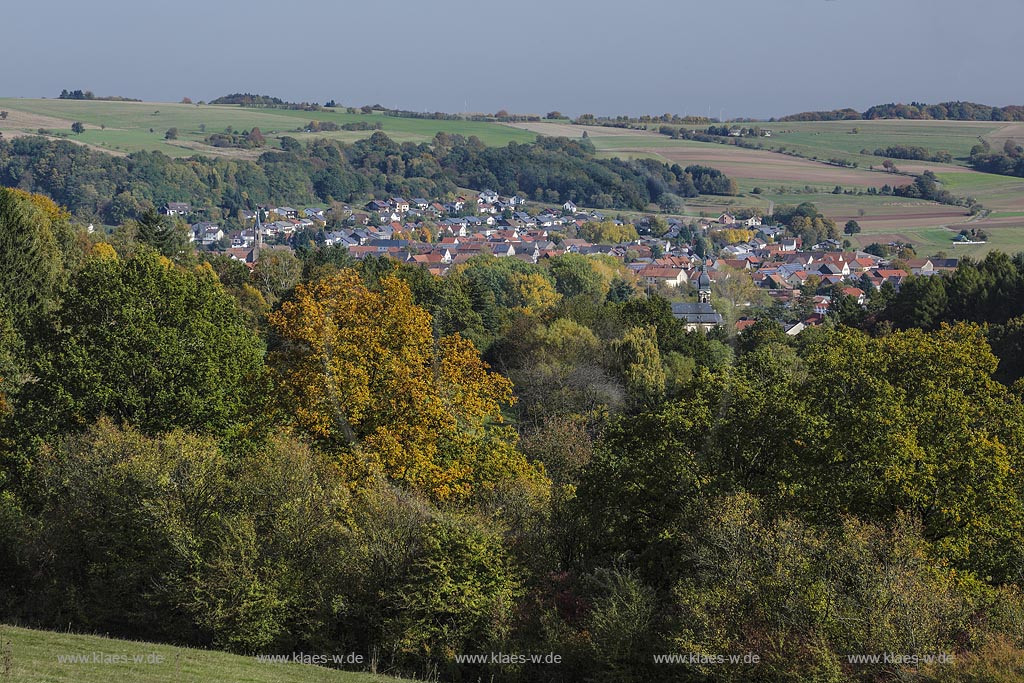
x=34, y=657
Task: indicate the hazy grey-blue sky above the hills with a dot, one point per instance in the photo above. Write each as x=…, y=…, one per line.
x=741, y=58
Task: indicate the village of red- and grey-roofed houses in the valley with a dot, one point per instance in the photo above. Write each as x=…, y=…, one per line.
x=440, y=235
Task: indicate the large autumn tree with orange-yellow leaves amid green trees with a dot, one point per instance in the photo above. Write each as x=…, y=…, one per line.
x=361, y=372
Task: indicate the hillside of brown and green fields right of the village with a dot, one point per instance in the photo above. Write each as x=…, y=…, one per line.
x=802, y=175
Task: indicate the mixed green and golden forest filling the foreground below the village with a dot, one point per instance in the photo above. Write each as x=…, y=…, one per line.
x=324, y=455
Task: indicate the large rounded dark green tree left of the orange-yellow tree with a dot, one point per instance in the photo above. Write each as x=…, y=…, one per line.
x=145, y=343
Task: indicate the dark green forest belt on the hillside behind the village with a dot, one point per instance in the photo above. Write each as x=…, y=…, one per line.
x=112, y=190
